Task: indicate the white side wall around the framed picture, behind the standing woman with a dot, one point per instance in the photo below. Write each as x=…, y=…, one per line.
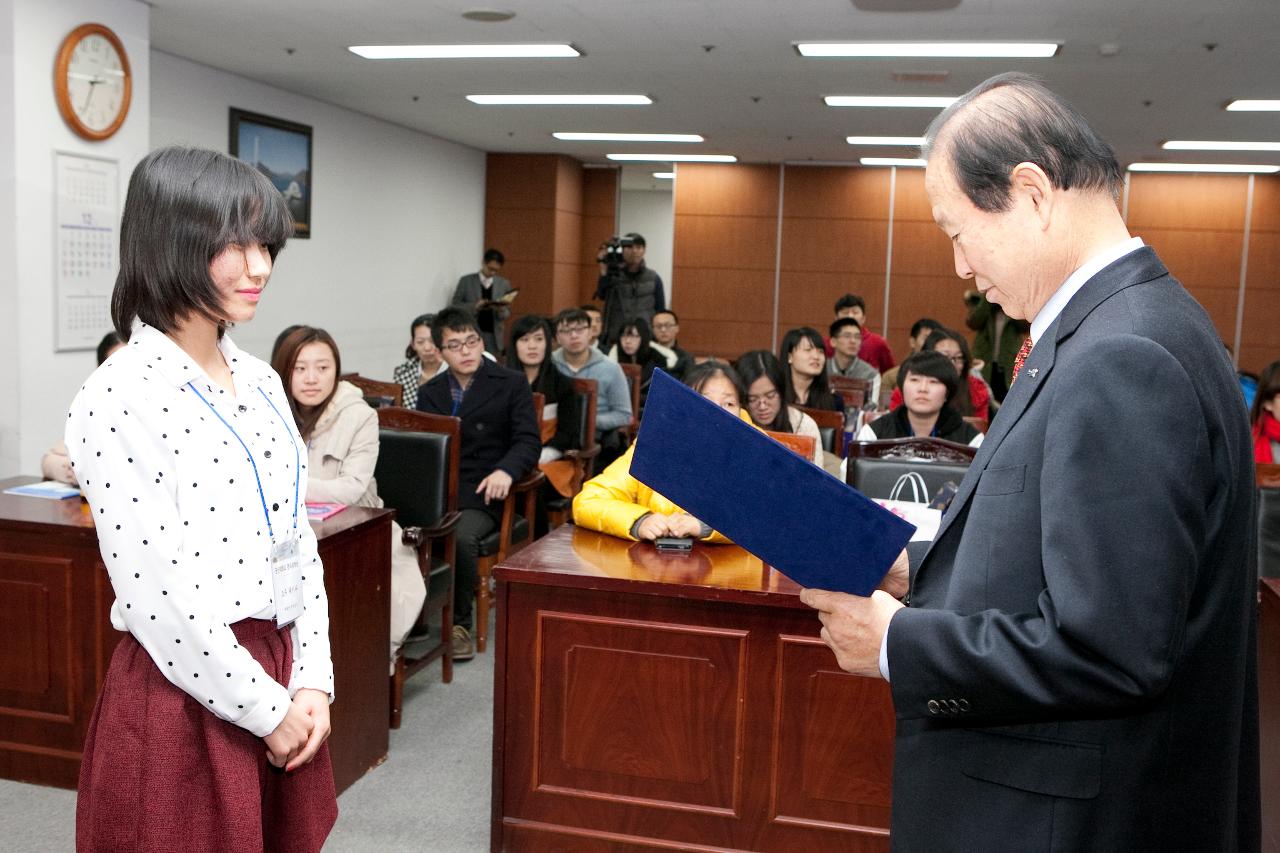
x=396, y=216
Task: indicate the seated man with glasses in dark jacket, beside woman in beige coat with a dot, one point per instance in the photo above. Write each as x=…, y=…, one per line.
x=501, y=445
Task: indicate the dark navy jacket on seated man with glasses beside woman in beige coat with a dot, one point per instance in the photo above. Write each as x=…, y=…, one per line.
x=499, y=428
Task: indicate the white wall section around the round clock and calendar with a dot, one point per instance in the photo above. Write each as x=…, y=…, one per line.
x=38, y=380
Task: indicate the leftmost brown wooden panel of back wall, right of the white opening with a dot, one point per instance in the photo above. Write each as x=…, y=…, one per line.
x=725, y=257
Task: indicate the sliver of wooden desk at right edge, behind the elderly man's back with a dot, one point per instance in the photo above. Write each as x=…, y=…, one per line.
x=1269, y=711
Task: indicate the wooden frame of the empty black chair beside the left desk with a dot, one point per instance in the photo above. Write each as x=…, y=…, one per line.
x=423, y=540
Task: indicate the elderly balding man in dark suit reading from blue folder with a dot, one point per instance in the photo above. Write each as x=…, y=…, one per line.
x=1076, y=669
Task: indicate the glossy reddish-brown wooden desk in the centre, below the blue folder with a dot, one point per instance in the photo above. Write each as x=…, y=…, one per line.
x=648, y=701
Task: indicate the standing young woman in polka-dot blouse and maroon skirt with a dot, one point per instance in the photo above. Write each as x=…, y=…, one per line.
x=212, y=724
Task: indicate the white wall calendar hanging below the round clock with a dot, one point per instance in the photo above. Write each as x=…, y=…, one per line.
x=86, y=241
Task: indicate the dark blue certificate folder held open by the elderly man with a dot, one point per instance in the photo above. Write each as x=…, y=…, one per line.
x=781, y=508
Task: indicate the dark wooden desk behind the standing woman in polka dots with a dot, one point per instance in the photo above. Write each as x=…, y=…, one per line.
x=57, y=637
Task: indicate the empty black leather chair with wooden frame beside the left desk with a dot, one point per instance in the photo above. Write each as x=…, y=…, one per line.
x=418, y=477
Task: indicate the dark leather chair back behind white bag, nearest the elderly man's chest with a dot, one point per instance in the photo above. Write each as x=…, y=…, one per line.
x=875, y=468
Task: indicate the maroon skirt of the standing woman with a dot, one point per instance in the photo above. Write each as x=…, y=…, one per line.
x=161, y=773
